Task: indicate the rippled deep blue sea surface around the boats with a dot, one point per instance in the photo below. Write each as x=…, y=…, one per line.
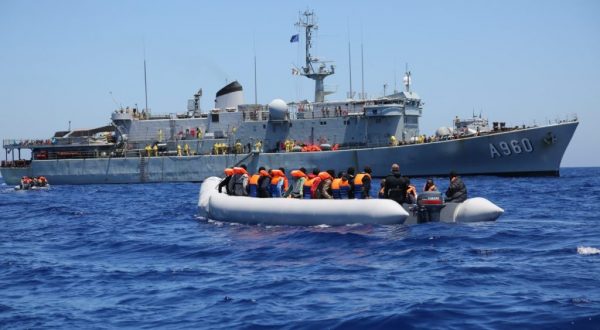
x=137, y=256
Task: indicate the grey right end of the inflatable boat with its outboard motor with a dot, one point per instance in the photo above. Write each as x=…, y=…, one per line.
x=430, y=207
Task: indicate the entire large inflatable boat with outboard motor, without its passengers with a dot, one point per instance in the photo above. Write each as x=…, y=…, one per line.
x=310, y=212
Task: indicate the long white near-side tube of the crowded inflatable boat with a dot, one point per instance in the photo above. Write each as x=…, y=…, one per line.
x=295, y=212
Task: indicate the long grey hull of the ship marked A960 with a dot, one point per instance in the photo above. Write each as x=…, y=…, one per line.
x=532, y=151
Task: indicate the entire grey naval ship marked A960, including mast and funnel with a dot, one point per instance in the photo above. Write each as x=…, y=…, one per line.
x=139, y=146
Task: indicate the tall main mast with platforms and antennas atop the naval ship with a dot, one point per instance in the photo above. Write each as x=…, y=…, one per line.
x=307, y=21
